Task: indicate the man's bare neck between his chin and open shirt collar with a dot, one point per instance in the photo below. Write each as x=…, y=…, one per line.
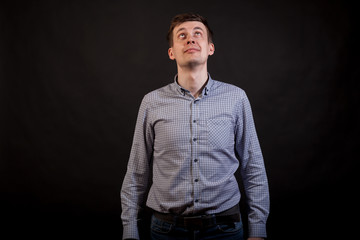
x=193, y=79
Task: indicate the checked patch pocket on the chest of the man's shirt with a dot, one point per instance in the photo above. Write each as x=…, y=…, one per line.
x=221, y=133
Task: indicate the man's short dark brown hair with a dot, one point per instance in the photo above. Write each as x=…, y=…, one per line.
x=187, y=17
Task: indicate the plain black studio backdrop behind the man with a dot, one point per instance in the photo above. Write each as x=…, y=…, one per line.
x=73, y=74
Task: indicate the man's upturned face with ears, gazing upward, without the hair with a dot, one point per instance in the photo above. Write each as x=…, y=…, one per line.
x=190, y=44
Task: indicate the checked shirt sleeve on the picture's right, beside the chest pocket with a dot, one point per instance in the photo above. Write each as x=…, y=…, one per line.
x=252, y=170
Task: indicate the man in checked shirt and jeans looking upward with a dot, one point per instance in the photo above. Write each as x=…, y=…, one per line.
x=190, y=138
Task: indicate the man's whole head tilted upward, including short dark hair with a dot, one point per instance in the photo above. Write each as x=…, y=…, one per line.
x=190, y=40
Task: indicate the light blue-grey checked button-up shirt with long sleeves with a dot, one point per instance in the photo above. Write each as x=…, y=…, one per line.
x=191, y=148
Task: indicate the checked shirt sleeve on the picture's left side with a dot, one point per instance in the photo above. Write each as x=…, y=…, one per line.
x=137, y=178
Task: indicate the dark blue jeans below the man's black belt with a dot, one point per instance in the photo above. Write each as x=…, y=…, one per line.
x=161, y=230
